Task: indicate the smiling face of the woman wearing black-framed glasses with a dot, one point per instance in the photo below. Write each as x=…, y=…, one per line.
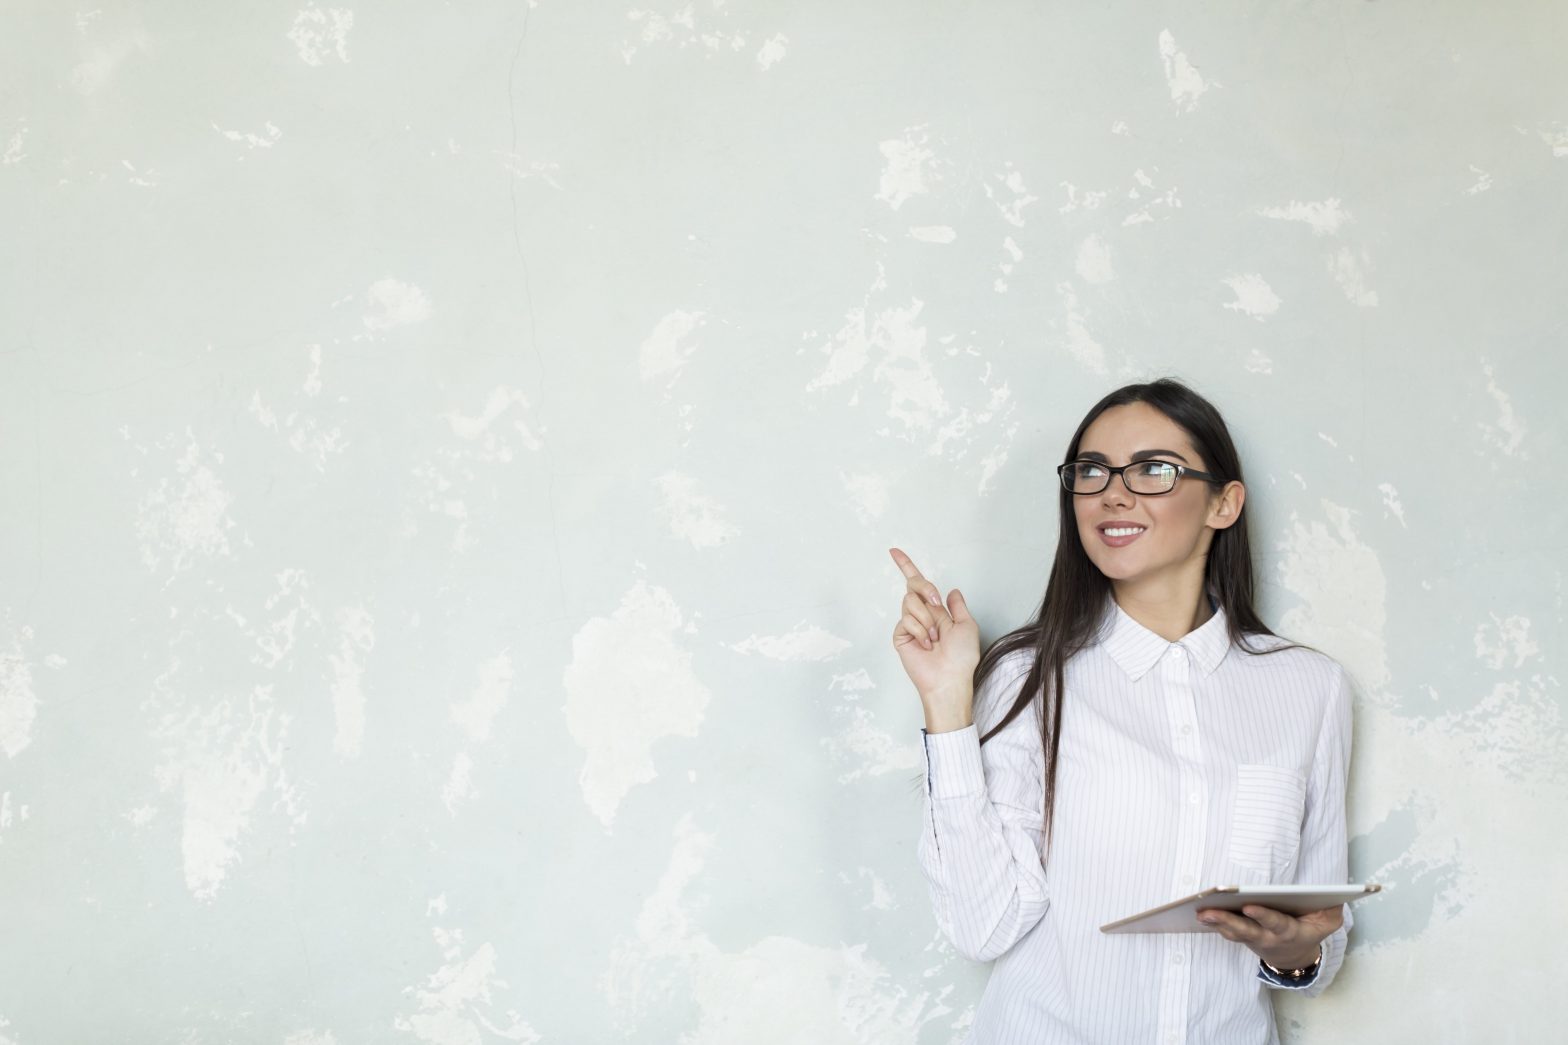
x=1178, y=526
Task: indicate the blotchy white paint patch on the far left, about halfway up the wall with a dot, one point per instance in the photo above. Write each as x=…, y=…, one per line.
x=186, y=519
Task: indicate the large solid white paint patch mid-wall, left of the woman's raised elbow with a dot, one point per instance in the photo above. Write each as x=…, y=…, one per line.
x=630, y=686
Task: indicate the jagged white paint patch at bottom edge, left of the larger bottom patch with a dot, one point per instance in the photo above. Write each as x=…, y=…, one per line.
x=456, y=1005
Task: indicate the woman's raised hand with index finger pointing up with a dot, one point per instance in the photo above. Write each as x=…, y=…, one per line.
x=938, y=644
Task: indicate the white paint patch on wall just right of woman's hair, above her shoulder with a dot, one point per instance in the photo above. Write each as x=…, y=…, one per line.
x=1340, y=581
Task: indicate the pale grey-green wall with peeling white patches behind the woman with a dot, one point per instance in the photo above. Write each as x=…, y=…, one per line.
x=451, y=454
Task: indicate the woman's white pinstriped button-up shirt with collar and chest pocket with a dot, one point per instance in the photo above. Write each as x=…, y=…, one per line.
x=1185, y=765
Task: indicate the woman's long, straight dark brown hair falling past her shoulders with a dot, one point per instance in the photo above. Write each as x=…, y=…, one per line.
x=1078, y=591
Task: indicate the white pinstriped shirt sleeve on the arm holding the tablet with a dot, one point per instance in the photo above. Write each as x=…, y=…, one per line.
x=1324, y=843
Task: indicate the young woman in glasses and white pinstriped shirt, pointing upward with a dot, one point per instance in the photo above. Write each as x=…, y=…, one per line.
x=1142, y=738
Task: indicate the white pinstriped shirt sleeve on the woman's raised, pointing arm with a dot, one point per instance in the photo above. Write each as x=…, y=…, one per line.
x=982, y=834
